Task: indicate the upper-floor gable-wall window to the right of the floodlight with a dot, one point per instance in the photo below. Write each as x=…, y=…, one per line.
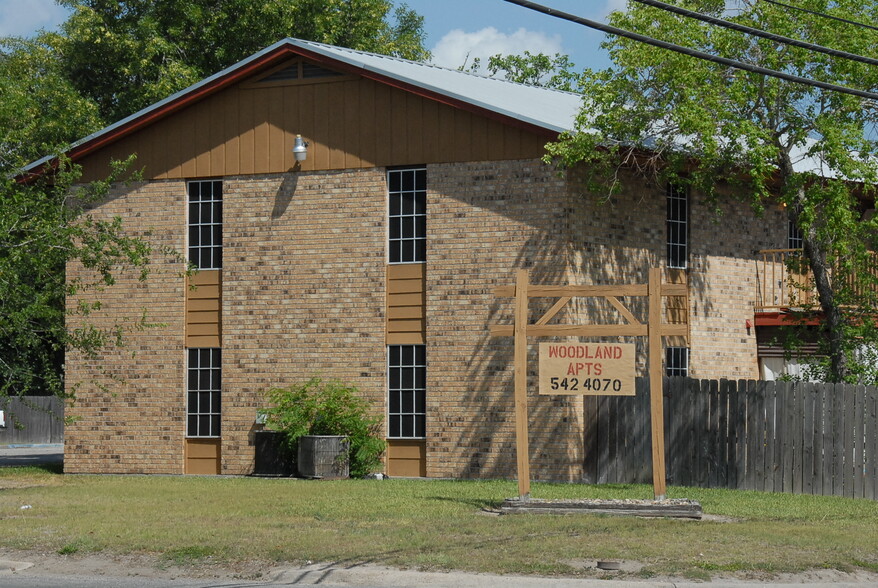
x=407, y=215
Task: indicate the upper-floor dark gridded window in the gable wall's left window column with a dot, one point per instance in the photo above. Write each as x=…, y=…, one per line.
x=206, y=224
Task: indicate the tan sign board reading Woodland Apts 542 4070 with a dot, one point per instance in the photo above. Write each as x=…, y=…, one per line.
x=591, y=369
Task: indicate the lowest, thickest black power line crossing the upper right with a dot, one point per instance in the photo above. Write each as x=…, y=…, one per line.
x=693, y=52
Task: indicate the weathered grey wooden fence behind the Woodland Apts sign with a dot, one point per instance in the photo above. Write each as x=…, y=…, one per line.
x=749, y=435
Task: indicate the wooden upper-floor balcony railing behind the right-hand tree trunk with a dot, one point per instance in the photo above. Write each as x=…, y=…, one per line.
x=779, y=284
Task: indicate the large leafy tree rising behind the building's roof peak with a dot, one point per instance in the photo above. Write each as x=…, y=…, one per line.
x=127, y=55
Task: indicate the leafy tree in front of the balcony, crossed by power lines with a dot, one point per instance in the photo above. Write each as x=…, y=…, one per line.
x=706, y=124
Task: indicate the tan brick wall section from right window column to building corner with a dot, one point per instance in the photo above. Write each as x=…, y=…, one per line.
x=485, y=221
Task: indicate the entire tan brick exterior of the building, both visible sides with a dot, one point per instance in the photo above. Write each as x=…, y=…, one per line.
x=303, y=295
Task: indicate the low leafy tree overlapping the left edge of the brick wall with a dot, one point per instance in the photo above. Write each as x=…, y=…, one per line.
x=43, y=227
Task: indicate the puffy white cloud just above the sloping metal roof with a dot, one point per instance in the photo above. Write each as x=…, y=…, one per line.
x=459, y=48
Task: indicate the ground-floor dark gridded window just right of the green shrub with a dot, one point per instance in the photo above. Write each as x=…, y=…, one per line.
x=407, y=391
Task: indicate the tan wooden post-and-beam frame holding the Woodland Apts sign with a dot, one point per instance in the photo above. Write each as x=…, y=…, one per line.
x=653, y=330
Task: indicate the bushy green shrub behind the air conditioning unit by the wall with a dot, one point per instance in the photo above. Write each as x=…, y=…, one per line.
x=328, y=408
